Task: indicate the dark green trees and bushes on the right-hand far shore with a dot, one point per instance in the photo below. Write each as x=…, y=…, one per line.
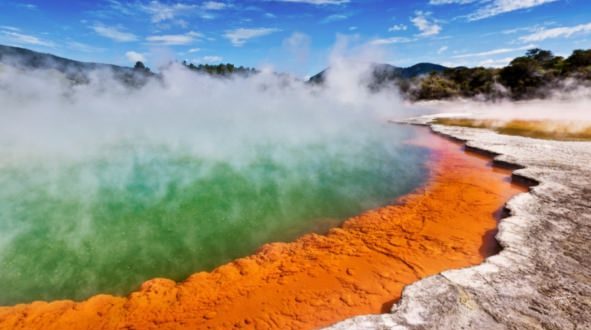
x=526, y=77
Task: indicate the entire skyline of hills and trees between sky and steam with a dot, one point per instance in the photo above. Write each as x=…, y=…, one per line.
x=531, y=76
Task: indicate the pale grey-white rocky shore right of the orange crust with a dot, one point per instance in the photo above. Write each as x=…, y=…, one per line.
x=542, y=277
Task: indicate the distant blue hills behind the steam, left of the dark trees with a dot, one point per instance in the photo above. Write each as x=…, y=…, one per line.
x=383, y=73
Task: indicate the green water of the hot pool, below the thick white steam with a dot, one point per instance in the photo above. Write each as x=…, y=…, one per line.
x=106, y=223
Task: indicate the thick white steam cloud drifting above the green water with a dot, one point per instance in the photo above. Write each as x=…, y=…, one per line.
x=41, y=111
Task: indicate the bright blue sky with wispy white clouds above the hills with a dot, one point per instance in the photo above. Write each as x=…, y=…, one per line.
x=295, y=35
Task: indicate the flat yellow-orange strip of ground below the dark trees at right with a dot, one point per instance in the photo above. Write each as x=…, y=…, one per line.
x=540, y=129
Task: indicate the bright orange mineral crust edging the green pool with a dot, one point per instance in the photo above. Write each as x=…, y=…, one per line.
x=360, y=268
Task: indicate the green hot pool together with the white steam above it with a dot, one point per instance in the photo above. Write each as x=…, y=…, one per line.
x=103, y=187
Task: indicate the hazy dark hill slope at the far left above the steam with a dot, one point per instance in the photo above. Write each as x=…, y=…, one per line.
x=74, y=70
